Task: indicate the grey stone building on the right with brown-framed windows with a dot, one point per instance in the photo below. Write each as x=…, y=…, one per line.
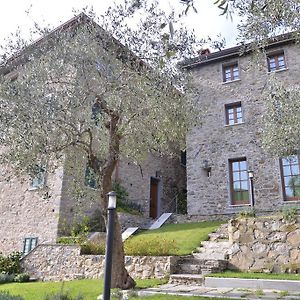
x=229, y=86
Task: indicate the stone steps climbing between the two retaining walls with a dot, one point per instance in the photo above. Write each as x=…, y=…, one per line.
x=210, y=258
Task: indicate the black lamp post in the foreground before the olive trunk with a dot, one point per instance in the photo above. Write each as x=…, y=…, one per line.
x=112, y=203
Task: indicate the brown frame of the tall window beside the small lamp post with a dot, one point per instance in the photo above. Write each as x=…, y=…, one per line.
x=231, y=180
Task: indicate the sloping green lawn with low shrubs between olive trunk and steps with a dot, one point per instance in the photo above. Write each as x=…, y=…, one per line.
x=186, y=237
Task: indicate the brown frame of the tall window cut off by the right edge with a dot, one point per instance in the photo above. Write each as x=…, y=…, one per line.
x=291, y=174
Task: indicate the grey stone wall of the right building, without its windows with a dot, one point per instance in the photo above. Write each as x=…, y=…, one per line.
x=217, y=143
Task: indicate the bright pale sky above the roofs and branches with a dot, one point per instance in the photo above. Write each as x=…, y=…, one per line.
x=12, y=15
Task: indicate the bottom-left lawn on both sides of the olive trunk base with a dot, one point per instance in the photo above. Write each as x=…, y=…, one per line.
x=88, y=288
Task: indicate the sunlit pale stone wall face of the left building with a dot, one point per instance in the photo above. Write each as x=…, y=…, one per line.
x=27, y=213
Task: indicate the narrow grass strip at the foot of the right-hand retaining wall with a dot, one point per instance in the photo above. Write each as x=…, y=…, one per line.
x=232, y=274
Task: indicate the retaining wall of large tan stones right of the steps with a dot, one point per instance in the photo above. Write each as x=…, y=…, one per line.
x=265, y=245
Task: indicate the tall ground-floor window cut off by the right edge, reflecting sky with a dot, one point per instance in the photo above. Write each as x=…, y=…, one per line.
x=290, y=174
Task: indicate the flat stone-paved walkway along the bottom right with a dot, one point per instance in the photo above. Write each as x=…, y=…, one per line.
x=233, y=293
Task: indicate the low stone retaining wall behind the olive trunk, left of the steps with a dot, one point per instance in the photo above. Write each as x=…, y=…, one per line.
x=52, y=262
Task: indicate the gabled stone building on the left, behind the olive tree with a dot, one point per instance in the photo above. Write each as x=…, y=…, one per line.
x=38, y=210
